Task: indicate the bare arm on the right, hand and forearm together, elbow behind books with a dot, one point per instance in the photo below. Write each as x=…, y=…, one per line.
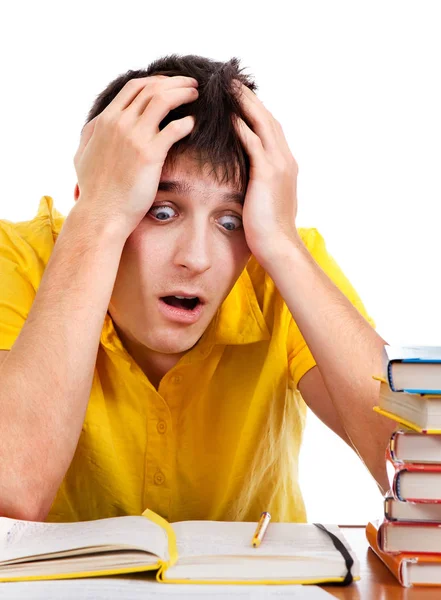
x=346, y=348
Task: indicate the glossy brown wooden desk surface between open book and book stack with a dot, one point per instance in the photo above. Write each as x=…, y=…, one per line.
x=377, y=582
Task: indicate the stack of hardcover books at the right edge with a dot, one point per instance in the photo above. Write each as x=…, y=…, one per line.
x=408, y=537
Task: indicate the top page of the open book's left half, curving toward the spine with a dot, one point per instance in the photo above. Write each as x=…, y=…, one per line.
x=27, y=538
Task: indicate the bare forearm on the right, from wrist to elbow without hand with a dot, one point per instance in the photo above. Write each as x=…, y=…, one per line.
x=346, y=348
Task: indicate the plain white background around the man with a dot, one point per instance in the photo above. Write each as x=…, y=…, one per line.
x=356, y=86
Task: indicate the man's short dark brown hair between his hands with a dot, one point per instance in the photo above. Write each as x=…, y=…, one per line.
x=213, y=140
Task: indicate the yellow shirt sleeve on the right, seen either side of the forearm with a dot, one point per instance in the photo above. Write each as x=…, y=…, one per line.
x=300, y=359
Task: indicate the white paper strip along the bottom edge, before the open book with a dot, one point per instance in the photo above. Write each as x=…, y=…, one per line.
x=103, y=588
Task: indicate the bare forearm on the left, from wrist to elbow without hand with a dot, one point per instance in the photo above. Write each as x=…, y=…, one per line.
x=47, y=375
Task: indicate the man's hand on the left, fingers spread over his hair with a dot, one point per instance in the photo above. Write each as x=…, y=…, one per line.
x=122, y=152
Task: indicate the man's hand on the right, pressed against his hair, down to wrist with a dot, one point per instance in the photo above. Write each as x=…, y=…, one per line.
x=270, y=205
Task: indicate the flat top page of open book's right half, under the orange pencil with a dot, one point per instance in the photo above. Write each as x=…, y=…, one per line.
x=215, y=538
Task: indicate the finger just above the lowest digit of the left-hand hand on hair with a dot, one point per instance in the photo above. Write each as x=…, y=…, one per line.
x=161, y=104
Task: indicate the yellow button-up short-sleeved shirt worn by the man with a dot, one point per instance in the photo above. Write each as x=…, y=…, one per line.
x=183, y=450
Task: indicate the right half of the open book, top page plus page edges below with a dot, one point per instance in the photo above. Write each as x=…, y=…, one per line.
x=222, y=551
